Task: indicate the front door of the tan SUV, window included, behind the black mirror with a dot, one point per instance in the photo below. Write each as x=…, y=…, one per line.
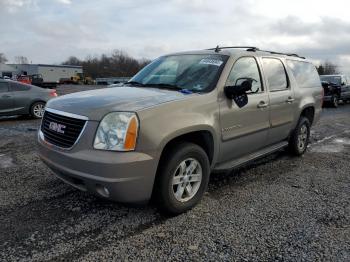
x=244, y=130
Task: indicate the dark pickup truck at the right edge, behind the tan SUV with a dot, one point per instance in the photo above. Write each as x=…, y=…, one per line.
x=336, y=87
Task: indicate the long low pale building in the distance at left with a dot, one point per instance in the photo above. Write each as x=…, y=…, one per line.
x=50, y=73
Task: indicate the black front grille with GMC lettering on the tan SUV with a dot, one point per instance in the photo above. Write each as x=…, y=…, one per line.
x=61, y=130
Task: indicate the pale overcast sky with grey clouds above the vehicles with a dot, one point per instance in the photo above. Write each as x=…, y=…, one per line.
x=48, y=31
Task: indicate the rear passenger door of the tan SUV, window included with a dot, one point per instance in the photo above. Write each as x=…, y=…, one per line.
x=282, y=98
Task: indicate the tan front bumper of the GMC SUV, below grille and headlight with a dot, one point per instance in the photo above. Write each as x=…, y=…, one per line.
x=126, y=177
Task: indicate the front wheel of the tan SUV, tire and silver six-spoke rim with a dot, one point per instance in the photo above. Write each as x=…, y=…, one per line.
x=172, y=192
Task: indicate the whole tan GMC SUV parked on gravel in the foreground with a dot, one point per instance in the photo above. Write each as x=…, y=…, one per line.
x=181, y=118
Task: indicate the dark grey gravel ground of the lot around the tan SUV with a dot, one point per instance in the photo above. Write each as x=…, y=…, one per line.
x=278, y=208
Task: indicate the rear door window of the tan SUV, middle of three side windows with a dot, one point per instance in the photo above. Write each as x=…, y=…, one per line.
x=275, y=74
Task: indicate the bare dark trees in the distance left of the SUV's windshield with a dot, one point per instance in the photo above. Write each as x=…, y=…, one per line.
x=118, y=64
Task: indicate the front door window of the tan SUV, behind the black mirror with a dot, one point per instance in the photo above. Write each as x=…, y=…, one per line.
x=245, y=67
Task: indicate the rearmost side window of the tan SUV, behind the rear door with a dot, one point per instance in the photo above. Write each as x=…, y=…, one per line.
x=304, y=73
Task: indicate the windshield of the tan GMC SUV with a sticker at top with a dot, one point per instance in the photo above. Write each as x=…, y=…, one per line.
x=196, y=73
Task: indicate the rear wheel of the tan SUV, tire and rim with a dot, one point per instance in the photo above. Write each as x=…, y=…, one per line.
x=300, y=137
